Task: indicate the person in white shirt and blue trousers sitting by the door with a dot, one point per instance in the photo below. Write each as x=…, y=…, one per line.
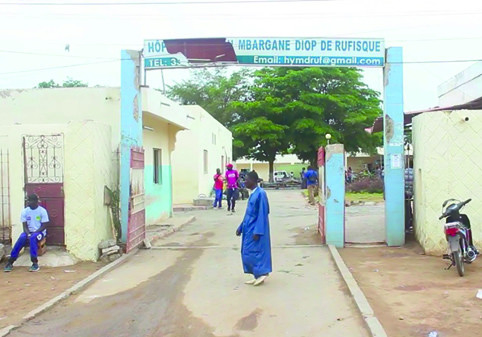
x=35, y=220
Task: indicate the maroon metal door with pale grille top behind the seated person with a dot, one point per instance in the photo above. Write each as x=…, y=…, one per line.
x=44, y=176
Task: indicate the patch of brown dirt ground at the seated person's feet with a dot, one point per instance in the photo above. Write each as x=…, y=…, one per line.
x=22, y=291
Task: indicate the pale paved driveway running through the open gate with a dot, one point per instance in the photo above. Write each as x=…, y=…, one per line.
x=191, y=285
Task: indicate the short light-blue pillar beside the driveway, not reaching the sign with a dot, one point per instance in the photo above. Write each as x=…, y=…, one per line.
x=335, y=195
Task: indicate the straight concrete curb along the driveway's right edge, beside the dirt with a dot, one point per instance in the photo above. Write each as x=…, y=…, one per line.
x=372, y=322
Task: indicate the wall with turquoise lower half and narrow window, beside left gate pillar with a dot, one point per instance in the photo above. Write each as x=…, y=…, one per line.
x=158, y=196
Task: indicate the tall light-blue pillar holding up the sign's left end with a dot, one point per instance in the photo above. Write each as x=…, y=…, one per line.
x=131, y=126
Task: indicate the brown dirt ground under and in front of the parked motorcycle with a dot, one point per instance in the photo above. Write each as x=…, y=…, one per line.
x=412, y=294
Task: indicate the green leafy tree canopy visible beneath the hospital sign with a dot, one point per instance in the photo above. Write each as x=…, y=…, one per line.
x=287, y=110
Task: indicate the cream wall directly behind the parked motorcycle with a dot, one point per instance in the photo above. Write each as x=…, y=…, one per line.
x=447, y=164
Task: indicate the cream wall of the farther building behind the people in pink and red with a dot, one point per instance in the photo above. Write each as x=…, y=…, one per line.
x=188, y=174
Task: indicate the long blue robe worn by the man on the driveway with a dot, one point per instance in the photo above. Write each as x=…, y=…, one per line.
x=256, y=255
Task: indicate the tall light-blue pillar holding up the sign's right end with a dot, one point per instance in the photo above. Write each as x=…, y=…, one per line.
x=393, y=148
